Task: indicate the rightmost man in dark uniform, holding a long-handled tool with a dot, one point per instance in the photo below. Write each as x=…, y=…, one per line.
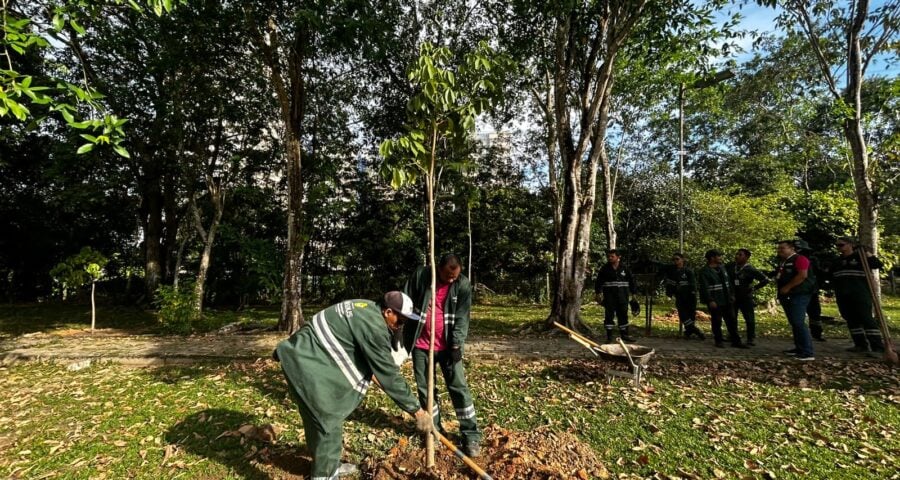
x=854, y=298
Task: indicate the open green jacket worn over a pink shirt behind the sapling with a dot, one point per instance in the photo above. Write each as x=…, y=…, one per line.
x=456, y=308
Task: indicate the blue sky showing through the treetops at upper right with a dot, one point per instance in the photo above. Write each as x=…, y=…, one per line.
x=762, y=19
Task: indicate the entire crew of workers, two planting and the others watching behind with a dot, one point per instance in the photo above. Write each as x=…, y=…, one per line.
x=330, y=362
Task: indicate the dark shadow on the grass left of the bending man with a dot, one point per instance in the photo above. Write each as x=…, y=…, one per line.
x=200, y=434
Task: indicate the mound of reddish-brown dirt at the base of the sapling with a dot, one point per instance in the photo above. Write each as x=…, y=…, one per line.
x=539, y=454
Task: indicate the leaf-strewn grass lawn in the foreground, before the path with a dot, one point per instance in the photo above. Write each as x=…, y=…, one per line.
x=704, y=420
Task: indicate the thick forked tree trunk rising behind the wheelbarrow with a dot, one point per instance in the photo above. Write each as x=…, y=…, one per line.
x=591, y=95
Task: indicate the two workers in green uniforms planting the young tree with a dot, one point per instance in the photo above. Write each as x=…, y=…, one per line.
x=330, y=362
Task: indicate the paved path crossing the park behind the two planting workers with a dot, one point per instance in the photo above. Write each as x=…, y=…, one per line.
x=148, y=350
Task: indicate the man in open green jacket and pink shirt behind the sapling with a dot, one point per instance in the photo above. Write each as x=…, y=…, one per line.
x=453, y=302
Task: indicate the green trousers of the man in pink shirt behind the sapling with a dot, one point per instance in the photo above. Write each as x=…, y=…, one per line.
x=460, y=396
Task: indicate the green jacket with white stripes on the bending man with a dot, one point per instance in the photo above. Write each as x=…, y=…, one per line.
x=330, y=361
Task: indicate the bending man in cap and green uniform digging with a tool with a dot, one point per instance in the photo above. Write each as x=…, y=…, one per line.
x=329, y=363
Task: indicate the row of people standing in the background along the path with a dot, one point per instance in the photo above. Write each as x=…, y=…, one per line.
x=728, y=290
